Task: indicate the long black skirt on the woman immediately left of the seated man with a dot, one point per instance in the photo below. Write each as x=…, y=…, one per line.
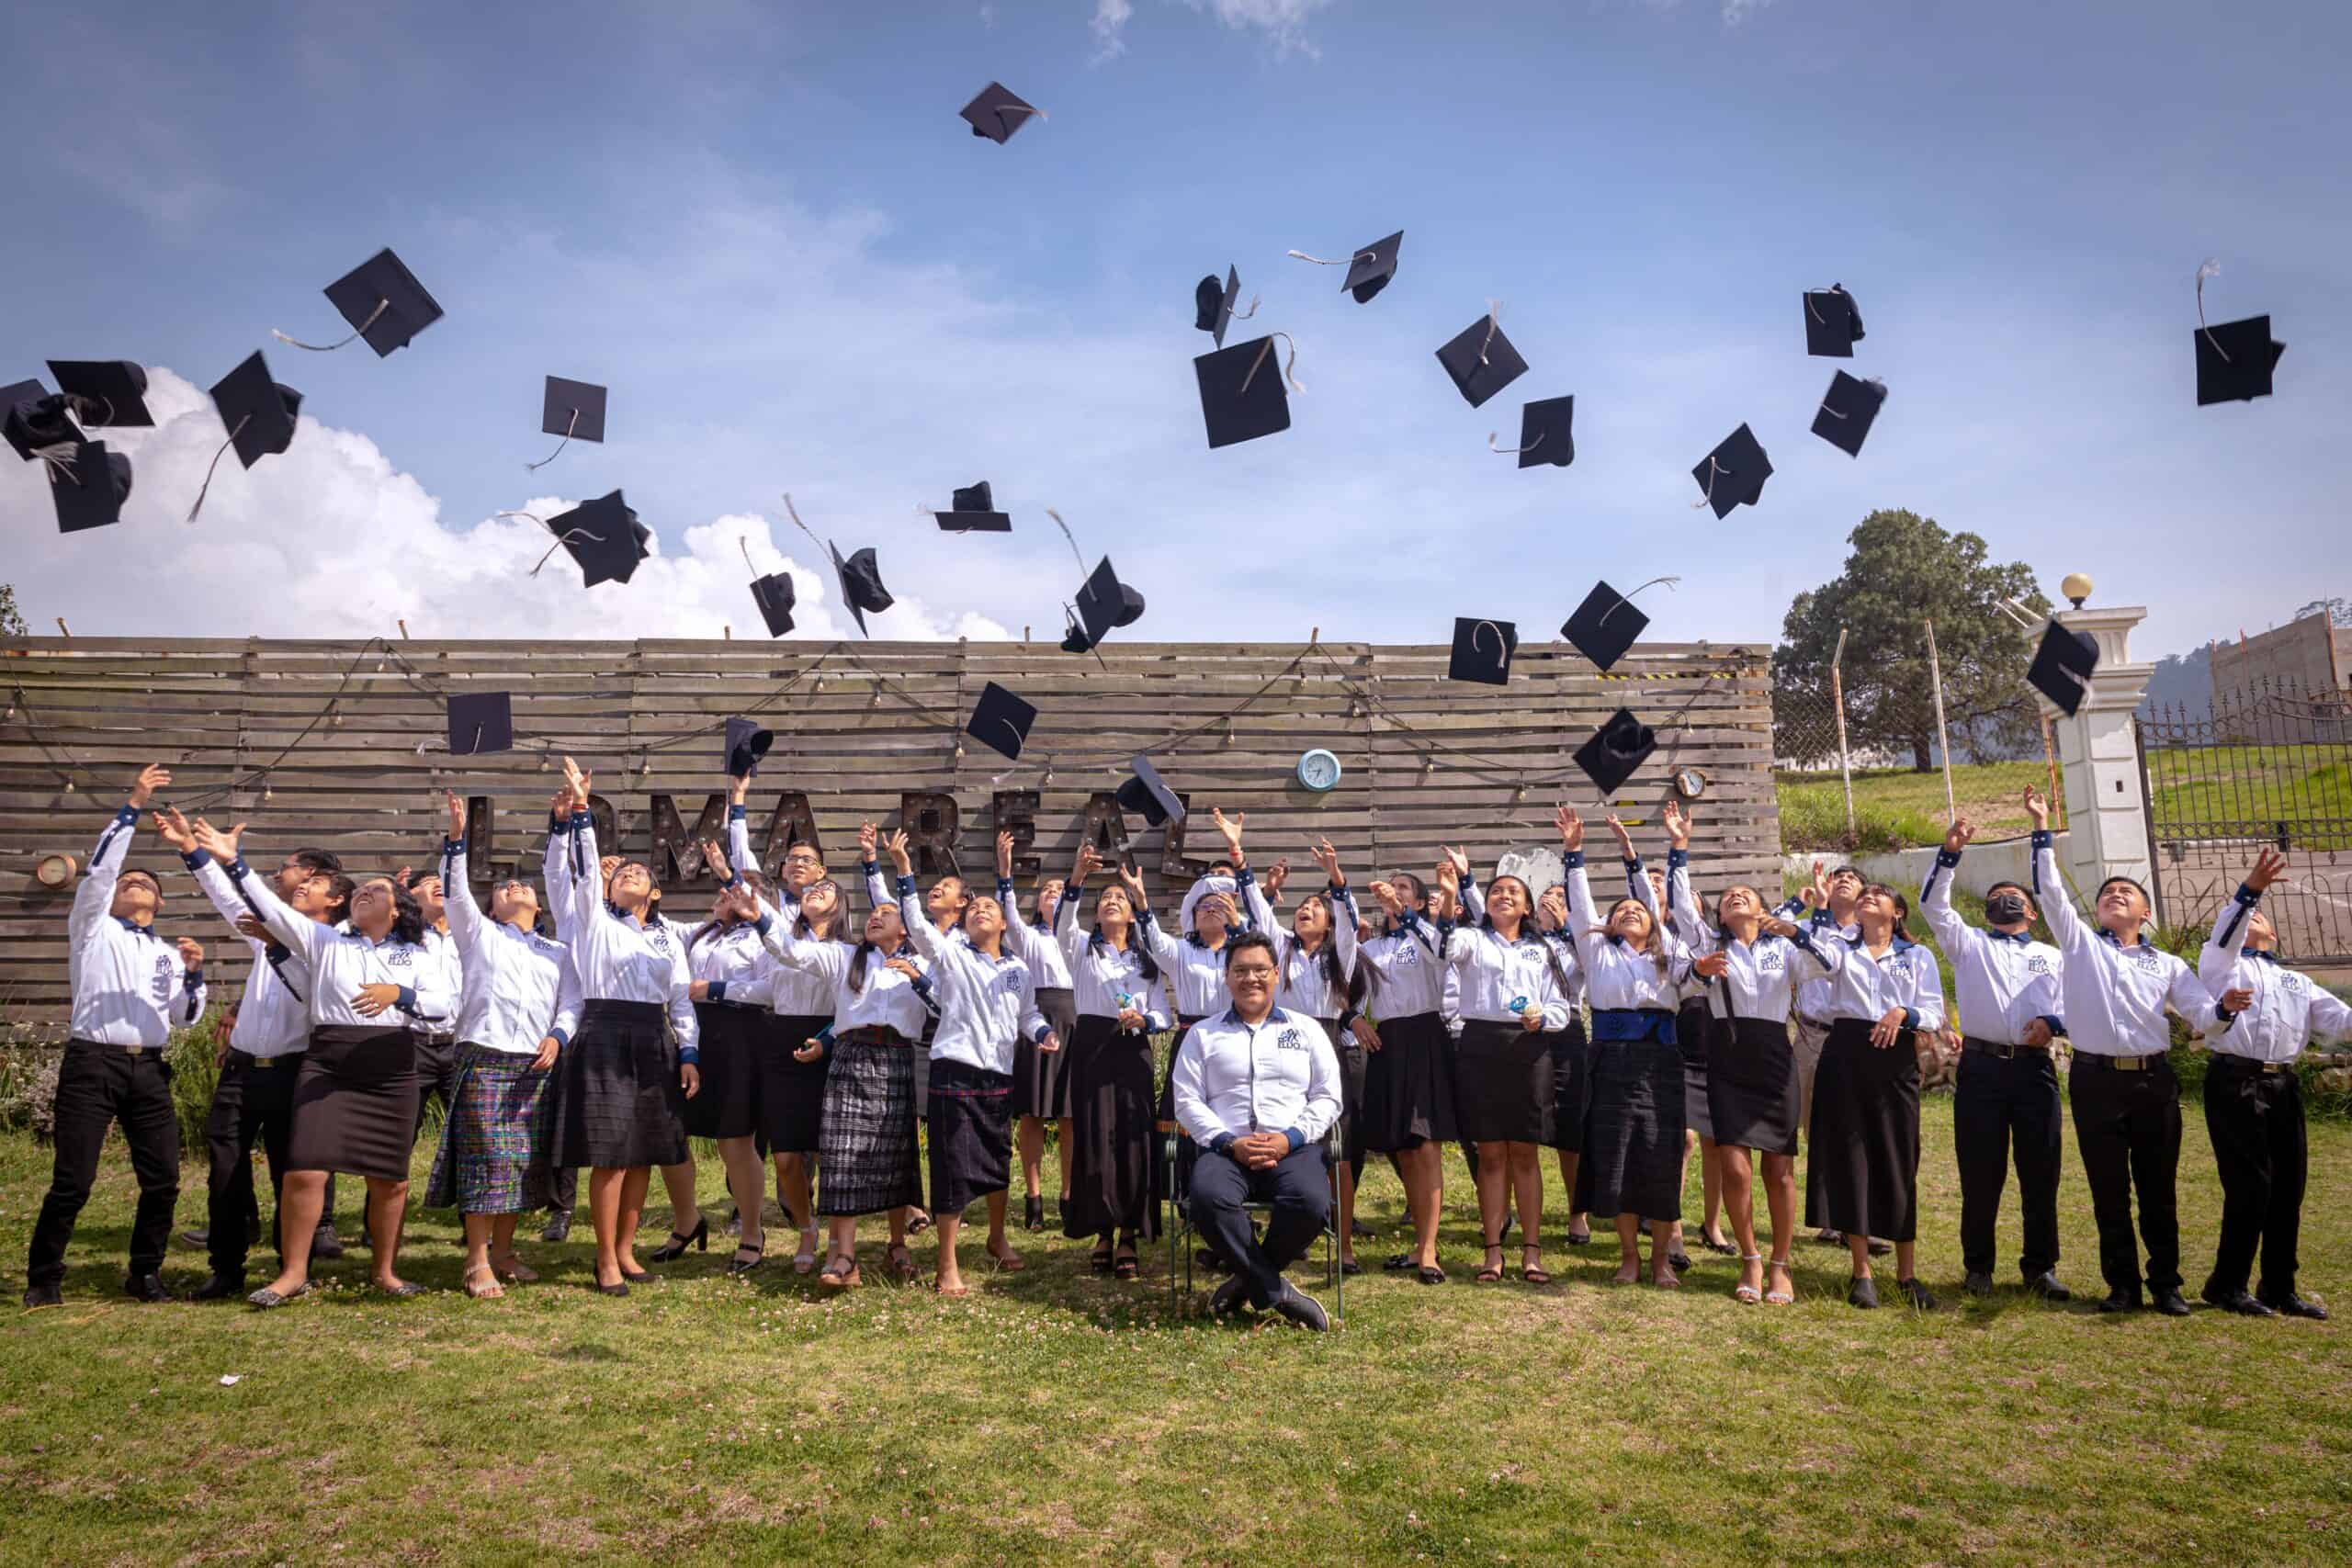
x=1116, y=1148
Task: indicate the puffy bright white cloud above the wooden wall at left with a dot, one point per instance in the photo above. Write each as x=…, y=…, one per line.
x=328, y=540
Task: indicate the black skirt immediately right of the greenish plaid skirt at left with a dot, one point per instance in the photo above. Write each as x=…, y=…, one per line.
x=617, y=1099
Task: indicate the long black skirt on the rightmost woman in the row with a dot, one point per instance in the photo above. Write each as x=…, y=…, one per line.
x=1862, y=1172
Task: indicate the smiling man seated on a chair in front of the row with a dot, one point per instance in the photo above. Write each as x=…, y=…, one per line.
x=1257, y=1090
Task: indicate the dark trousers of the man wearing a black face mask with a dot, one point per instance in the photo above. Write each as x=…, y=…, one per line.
x=2005, y=1104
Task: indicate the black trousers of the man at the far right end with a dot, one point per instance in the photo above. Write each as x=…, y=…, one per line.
x=2257, y=1127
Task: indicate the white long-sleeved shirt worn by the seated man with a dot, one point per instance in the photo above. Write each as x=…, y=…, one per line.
x=1241, y=1078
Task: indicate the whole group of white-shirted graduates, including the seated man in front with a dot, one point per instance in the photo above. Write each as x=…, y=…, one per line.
x=599, y=1036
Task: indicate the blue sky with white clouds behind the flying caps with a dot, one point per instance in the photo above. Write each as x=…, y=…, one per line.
x=766, y=227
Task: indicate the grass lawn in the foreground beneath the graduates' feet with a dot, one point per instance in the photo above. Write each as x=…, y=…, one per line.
x=1071, y=1419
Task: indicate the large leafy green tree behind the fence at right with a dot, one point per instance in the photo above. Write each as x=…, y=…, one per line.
x=1904, y=572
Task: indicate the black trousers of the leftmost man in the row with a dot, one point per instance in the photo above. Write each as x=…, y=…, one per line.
x=100, y=1087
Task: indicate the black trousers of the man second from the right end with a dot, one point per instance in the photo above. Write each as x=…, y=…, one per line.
x=2130, y=1134
